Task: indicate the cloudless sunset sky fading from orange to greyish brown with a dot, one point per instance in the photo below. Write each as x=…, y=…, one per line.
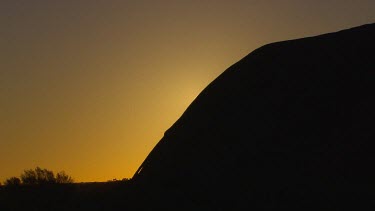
x=89, y=87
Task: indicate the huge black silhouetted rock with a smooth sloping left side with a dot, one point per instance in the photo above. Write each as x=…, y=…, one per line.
x=290, y=125
